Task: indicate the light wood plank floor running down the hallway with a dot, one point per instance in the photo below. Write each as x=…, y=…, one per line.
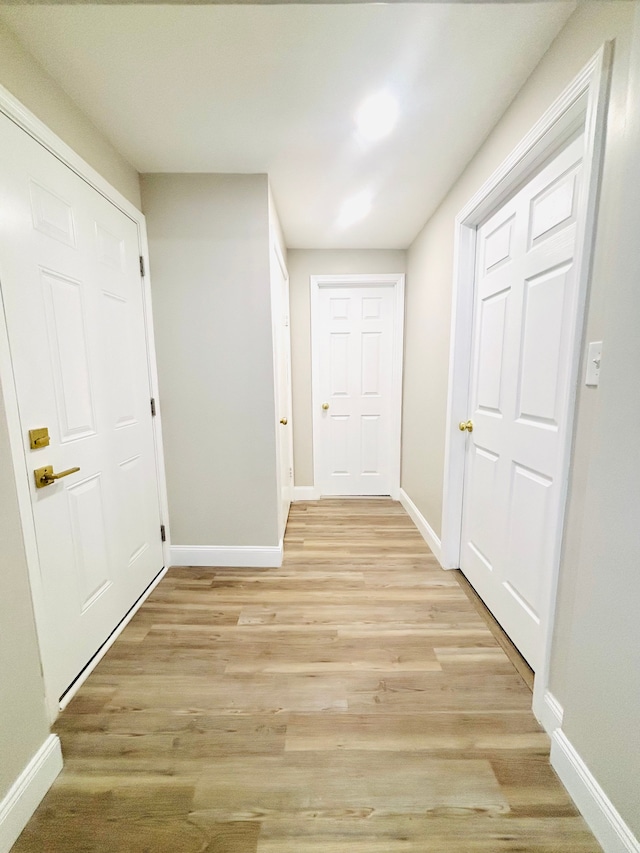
x=353, y=701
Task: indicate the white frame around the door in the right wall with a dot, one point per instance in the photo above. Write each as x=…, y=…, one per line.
x=582, y=106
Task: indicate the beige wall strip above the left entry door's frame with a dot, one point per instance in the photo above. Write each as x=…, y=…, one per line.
x=28, y=81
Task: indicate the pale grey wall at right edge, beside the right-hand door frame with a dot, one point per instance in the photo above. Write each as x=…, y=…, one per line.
x=600, y=676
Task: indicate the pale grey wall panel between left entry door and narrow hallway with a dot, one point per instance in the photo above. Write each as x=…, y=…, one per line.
x=209, y=258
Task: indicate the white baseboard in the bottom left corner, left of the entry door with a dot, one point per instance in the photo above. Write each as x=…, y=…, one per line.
x=28, y=790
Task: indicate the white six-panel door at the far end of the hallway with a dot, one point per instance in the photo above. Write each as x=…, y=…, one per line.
x=356, y=395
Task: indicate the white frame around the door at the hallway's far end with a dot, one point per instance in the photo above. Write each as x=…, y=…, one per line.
x=395, y=280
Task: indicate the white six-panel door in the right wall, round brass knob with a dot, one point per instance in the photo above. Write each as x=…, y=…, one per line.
x=525, y=296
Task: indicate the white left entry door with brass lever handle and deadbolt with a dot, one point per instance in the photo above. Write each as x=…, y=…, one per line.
x=73, y=300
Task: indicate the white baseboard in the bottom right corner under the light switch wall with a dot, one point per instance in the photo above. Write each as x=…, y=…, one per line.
x=597, y=809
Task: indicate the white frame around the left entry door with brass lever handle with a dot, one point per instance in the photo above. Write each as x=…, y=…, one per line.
x=21, y=116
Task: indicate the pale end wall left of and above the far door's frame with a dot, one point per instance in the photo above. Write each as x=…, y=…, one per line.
x=303, y=263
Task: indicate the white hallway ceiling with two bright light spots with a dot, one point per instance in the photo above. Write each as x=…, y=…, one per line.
x=275, y=88
